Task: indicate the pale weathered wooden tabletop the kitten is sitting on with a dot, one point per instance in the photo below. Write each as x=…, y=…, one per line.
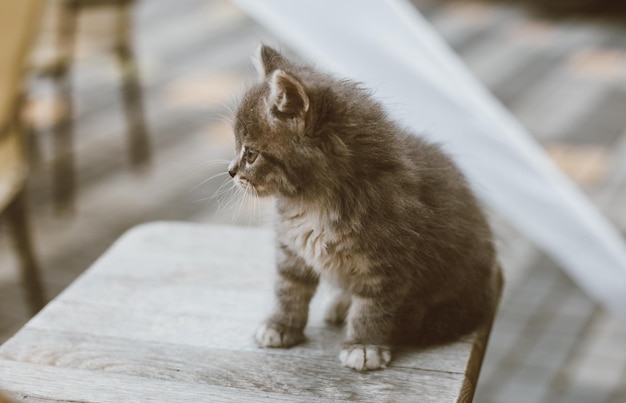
x=167, y=314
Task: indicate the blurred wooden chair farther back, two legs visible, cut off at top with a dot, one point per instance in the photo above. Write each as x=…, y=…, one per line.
x=68, y=13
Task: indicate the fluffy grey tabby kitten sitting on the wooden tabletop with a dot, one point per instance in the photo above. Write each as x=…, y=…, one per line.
x=381, y=214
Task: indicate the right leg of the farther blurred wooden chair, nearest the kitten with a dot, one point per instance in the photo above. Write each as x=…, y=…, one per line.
x=139, y=144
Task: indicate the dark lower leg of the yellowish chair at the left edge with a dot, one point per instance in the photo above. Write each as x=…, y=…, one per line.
x=19, y=226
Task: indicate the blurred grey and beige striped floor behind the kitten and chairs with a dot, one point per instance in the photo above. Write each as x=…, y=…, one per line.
x=564, y=80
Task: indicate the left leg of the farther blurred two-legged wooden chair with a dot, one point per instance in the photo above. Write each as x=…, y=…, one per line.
x=64, y=182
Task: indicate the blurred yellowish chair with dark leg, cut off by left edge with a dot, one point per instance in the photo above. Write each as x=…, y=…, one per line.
x=19, y=21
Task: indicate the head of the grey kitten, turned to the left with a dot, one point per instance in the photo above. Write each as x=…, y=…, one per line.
x=274, y=153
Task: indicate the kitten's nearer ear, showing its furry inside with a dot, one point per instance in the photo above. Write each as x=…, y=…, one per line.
x=287, y=95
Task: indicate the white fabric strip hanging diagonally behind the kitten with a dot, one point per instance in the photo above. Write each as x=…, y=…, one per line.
x=387, y=45
